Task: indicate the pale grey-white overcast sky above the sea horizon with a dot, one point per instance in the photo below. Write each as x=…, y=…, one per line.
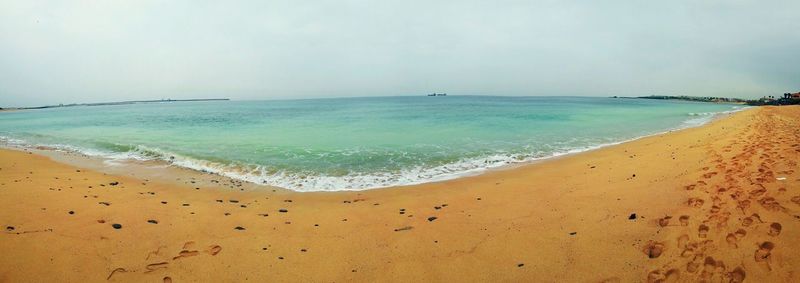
x=55, y=52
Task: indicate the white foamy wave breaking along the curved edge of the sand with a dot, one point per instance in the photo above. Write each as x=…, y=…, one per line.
x=114, y=153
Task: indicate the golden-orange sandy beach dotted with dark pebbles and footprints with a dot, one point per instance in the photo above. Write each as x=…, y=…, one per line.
x=720, y=202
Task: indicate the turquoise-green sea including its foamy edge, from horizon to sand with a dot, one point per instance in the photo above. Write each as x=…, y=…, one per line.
x=351, y=143
